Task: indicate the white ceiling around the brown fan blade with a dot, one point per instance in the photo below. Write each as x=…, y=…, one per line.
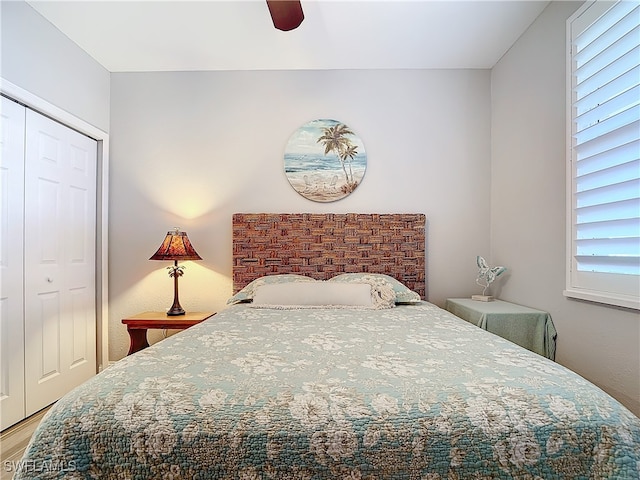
x=137, y=36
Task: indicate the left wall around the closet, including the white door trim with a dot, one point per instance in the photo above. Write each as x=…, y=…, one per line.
x=42, y=68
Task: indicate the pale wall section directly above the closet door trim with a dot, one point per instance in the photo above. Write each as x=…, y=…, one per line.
x=38, y=58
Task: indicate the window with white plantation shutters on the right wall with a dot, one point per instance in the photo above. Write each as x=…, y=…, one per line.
x=604, y=153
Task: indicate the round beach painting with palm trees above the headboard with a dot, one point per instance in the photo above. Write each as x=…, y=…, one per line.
x=324, y=160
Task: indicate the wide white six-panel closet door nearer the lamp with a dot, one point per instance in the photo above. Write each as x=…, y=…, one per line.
x=60, y=226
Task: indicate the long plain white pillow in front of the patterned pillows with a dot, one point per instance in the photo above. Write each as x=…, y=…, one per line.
x=314, y=294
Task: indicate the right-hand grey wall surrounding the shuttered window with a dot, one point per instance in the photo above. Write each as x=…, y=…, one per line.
x=528, y=209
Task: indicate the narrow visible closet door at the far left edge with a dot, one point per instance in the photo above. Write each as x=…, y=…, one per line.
x=12, y=407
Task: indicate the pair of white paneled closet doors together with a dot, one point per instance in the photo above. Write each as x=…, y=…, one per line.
x=47, y=261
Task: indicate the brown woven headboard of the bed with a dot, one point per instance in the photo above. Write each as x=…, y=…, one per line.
x=321, y=245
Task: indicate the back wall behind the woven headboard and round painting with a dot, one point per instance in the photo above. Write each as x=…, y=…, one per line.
x=190, y=149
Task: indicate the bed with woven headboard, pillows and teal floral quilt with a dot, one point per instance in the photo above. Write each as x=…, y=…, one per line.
x=329, y=364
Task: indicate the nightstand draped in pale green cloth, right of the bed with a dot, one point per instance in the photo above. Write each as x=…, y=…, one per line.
x=530, y=328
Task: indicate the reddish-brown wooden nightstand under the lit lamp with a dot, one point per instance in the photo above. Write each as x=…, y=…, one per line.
x=138, y=325
